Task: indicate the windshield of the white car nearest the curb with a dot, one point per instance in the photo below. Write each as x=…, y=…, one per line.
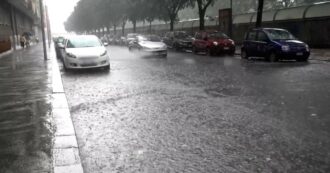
x=80, y=42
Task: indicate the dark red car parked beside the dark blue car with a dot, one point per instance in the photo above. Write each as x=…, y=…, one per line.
x=213, y=43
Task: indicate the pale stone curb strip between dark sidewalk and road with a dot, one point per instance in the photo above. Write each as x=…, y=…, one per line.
x=66, y=157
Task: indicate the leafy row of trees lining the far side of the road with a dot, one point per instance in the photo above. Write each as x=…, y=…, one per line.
x=93, y=14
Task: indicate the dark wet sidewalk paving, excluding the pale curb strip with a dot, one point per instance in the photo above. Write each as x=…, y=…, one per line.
x=26, y=129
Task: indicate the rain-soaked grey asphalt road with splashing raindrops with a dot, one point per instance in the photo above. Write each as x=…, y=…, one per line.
x=192, y=113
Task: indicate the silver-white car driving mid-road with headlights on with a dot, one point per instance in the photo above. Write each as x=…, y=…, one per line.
x=149, y=44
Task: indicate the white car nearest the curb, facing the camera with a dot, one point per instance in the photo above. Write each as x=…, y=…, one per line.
x=83, y=52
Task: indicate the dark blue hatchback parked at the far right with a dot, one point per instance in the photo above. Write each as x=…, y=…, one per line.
x=273, y=44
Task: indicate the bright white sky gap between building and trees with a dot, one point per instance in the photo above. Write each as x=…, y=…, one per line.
x=59, y=11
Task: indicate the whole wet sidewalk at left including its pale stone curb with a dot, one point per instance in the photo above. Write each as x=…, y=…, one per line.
x=36, y=130
